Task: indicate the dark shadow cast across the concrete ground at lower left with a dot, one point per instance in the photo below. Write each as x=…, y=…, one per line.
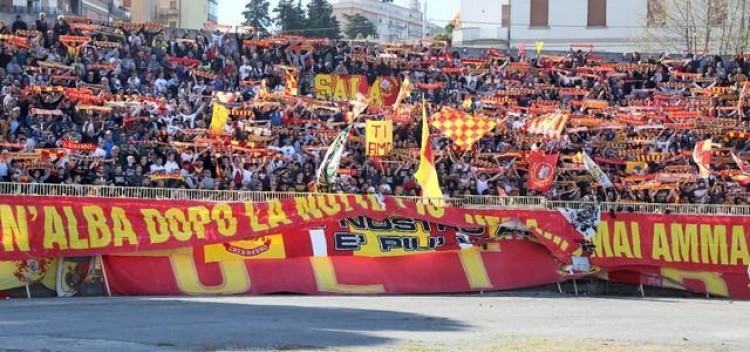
x=134, y=324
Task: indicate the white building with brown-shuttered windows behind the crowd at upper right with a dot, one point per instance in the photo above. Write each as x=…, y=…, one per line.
x=608, y=25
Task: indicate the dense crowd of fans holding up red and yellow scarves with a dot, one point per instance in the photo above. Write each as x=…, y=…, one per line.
x=143, y=97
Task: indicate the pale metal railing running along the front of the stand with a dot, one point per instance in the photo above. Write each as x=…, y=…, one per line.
x=476, y=202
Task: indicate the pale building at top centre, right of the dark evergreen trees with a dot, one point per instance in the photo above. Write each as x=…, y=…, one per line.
x=393, y=22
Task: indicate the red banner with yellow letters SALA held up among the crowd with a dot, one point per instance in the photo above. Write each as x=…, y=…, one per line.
x=383, y=92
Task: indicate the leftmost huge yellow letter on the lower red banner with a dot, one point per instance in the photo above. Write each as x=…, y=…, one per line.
x=235, y=278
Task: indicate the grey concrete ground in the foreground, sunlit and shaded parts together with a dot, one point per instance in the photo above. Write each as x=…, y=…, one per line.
x=400, y=323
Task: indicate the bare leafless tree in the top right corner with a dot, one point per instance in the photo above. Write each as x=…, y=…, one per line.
x=697, y=26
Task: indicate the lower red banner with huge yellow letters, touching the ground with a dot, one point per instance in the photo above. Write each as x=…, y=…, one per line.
x=477, y=269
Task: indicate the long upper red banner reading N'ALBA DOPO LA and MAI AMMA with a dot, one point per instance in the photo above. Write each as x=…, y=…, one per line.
x=44, y=227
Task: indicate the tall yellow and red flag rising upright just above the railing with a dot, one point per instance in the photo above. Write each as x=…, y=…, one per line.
x=426, y=175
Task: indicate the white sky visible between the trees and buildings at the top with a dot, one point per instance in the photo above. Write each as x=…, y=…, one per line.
x=438, y=11
